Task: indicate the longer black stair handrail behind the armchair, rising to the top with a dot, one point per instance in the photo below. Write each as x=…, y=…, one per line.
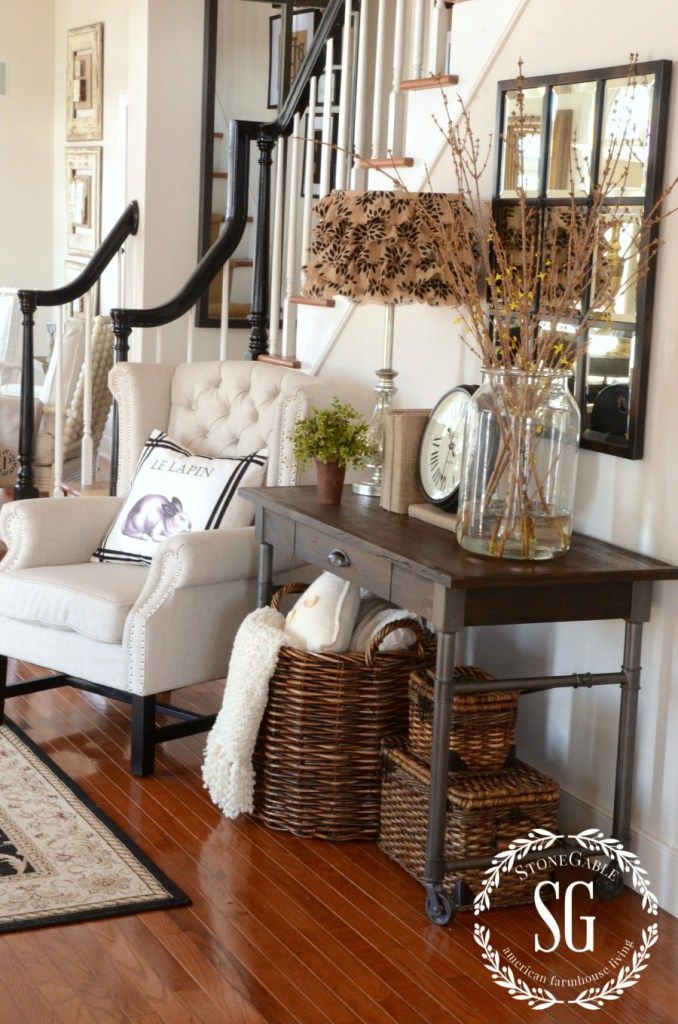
x=242, y=134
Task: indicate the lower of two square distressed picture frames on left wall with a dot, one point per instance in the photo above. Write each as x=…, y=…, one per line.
x=83, y=191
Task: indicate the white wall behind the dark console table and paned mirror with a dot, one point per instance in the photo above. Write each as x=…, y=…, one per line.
x=574, y=735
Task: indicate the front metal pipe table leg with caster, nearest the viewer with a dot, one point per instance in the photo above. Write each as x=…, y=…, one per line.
x=440, y=907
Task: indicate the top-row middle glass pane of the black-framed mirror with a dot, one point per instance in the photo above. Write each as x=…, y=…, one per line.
x=571, y=149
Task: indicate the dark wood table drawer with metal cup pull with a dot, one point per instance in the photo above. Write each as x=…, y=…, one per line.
x=346, y=561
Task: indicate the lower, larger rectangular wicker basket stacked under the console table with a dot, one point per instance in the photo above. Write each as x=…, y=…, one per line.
x=486, y=812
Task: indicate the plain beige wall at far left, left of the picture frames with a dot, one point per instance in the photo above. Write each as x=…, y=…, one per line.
x=26, y=146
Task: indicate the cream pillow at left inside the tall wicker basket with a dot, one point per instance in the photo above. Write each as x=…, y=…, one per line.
x=324, y=618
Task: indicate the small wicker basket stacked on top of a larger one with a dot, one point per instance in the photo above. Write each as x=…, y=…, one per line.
x=483, y=736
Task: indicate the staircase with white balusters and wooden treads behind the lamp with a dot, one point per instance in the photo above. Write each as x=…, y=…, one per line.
x=398, y=59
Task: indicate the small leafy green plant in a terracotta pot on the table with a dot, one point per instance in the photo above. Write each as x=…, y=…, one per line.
x=335, y=440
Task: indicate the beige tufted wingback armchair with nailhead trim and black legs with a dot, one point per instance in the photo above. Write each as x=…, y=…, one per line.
x=133, y=631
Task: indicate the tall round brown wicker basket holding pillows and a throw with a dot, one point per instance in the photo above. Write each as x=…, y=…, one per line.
x=318, y=754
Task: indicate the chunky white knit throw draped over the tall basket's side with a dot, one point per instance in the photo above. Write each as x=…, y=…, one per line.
x=228, y=770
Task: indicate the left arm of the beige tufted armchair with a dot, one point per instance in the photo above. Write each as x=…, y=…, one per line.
x=55, y=531
